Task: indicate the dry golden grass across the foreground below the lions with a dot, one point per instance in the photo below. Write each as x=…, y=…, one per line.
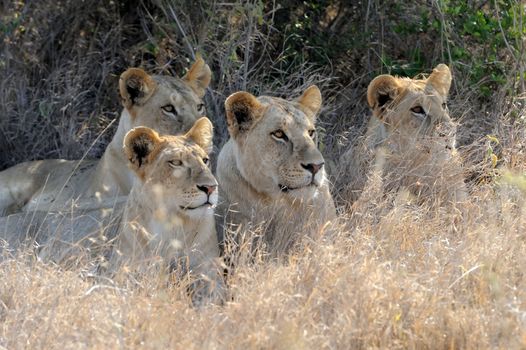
x=411, y=279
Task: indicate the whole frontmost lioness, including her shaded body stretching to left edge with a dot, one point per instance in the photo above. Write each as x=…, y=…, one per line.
x=169, y=213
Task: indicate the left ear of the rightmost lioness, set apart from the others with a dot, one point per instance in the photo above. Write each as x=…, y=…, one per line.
x=381, y=91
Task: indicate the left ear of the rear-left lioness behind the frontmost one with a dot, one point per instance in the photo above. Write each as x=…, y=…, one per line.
x=135, y=87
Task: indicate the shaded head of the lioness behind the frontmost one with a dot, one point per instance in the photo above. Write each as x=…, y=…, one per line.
x=167, y=104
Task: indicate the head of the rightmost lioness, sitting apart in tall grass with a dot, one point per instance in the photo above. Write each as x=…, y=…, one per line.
x=415, y=109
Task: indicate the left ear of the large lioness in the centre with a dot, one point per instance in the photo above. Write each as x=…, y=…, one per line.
x=242, y=110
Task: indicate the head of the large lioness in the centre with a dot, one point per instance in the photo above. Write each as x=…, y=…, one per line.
x=276, y=143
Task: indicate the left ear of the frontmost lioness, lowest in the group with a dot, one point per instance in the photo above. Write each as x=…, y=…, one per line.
x=139, y=143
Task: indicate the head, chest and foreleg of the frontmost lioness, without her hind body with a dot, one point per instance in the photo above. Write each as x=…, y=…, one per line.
x=170, y=210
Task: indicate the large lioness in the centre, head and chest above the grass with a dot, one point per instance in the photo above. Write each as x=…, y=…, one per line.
x=270, y=171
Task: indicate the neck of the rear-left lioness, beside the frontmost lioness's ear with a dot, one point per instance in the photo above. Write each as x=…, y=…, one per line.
x=112, y=176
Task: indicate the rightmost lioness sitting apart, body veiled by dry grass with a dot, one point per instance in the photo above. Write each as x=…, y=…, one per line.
x=409, y=142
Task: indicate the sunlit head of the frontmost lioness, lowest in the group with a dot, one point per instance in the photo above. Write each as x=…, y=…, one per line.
x=173, y=170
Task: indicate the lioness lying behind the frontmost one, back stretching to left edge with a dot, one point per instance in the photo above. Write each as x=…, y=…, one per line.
x=167, y=104
